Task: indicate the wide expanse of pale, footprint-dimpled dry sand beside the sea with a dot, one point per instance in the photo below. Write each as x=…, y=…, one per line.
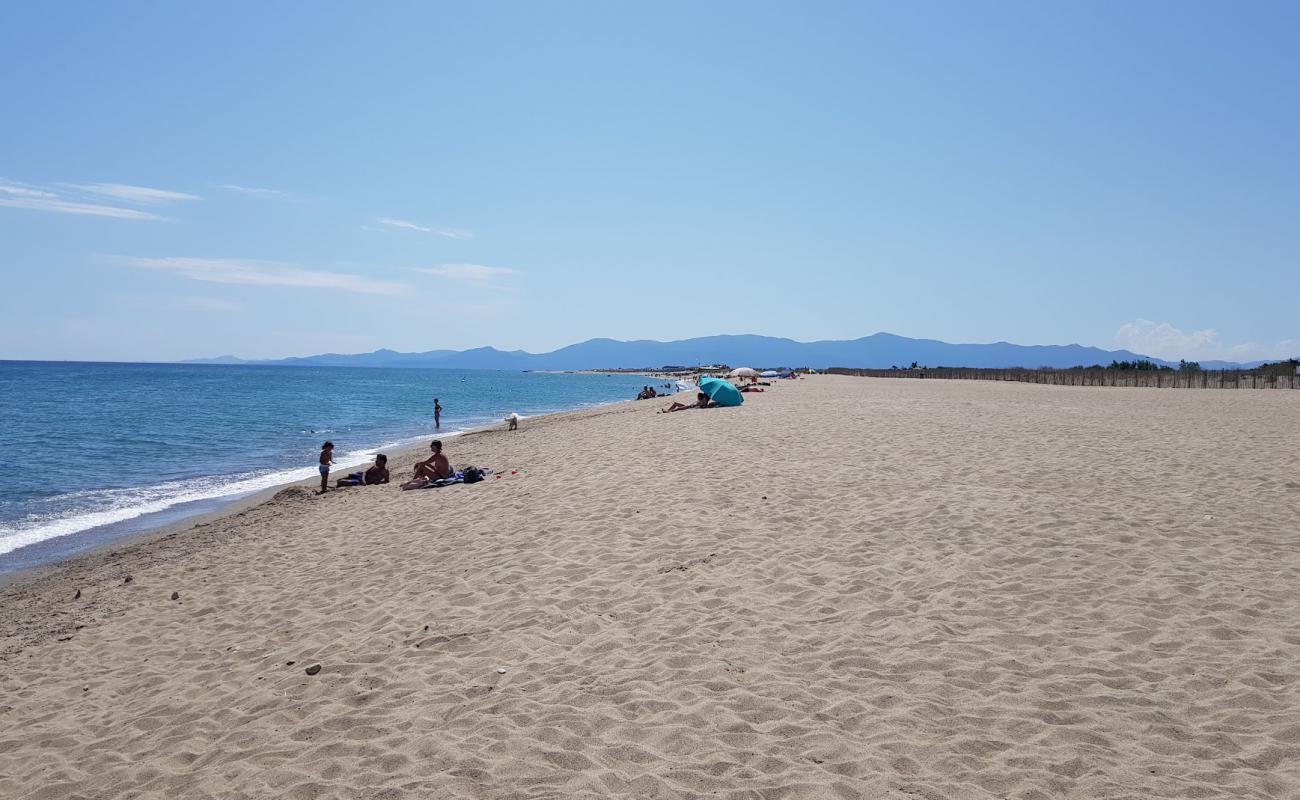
x=844, y=589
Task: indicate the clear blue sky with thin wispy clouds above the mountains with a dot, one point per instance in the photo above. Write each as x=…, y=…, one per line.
x=267, y=180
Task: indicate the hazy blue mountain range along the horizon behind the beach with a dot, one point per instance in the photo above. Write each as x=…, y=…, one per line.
x=881, y=351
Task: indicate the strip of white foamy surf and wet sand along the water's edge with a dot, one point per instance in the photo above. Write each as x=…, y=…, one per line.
x=233, y=505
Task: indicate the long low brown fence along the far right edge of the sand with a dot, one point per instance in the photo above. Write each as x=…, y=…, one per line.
x=1204, y=379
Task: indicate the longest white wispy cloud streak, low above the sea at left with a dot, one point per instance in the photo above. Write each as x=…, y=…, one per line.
x=263, y=274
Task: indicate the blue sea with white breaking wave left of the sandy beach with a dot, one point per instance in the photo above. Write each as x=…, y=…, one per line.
x=98, y=452
